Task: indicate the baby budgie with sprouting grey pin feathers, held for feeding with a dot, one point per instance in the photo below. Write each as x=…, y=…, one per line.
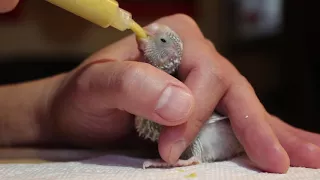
x=163, y=49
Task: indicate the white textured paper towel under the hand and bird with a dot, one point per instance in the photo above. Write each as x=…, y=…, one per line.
x=123, y=167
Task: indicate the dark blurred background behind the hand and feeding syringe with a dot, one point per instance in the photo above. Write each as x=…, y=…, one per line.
x=272, y=42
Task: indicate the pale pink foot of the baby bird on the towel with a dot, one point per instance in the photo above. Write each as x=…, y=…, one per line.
x=159, y=163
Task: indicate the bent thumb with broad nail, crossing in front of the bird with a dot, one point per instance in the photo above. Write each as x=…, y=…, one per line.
x=137, y=88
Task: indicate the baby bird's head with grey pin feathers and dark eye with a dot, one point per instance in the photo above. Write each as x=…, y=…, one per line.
x=162, y=48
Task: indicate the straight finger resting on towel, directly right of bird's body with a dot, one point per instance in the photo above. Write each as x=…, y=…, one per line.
x=249, y=121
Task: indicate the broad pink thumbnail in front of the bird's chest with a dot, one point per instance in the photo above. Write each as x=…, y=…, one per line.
x=174, y=104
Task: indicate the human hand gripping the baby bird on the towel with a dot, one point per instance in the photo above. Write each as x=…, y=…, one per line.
x=93, y=104
